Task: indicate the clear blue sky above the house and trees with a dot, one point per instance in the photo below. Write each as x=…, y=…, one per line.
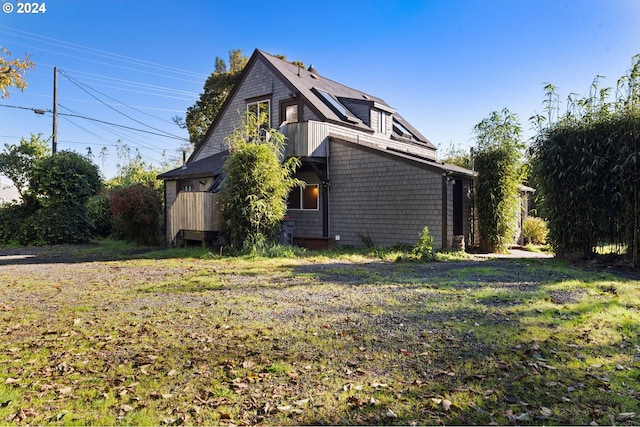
x=444, y=65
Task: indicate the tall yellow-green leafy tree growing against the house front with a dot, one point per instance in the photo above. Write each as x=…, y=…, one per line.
x=257, y=184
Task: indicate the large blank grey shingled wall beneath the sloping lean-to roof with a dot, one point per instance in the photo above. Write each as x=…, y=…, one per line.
x=388, y=200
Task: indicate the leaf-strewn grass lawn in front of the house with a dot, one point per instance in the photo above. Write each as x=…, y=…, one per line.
x=102, y=334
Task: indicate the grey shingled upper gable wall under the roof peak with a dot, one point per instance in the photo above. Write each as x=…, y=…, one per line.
x=260, y=81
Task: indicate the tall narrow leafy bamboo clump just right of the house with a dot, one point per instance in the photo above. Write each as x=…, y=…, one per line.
x=498, y=162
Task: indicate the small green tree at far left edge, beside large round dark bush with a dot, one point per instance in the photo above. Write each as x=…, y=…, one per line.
x=18, y=160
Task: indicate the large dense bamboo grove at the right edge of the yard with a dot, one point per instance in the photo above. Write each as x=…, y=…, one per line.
x=585, y=165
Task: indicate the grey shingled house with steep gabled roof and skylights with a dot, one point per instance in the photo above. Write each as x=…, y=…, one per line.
x=372, y=178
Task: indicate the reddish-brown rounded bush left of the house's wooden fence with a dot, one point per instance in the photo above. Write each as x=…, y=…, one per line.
x=137, y=214
